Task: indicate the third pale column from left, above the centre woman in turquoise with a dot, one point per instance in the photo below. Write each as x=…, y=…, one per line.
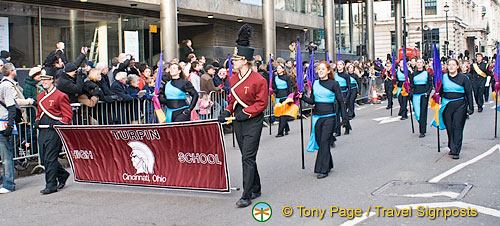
x=329, y=19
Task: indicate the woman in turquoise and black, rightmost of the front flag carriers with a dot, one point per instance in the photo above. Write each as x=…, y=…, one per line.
x=456, y=104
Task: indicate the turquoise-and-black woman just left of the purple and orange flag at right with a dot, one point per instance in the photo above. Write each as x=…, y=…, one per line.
x=421, y=87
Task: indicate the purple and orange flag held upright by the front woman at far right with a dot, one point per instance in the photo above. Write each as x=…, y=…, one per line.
x=438, y=82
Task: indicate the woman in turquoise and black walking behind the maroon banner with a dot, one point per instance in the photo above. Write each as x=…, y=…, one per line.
x=173, y=95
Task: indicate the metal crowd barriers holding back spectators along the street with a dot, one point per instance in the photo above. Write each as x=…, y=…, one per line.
x=133, y=112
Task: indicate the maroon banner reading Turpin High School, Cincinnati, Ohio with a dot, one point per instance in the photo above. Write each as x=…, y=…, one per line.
x=175, y=155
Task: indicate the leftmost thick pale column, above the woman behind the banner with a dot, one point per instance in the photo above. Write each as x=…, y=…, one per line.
x=168, y=32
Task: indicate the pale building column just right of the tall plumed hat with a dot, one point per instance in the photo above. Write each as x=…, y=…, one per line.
x=269, y=28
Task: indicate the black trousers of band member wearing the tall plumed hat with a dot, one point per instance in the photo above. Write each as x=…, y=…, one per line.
x=248, y=136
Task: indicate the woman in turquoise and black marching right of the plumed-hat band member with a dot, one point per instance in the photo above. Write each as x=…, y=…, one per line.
x=325, y=93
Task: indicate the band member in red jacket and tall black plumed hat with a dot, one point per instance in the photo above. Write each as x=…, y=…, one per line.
x=249, y=99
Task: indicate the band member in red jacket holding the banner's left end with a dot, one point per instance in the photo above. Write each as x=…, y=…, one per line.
x=53, y=109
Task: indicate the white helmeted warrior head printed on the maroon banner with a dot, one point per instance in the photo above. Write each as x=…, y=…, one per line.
x=142, y=157
